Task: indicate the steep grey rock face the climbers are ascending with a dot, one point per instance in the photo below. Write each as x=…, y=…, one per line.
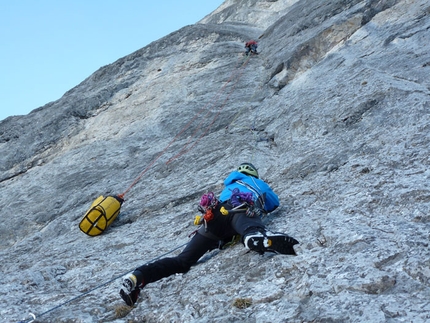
x=335, y=113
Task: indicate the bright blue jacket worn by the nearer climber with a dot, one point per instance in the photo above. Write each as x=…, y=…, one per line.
x=240, y=181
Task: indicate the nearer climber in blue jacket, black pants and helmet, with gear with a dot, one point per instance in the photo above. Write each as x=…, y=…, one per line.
x=237, y=212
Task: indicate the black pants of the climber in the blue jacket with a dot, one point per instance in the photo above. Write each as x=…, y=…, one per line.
x=221, y=228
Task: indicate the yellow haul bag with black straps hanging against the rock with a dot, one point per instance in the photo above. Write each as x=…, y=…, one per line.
x=101, y=214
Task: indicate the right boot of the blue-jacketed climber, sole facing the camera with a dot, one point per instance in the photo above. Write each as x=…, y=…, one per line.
x=267, y=241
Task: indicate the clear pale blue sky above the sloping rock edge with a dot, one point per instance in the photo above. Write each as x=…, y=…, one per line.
x=50, y=46
